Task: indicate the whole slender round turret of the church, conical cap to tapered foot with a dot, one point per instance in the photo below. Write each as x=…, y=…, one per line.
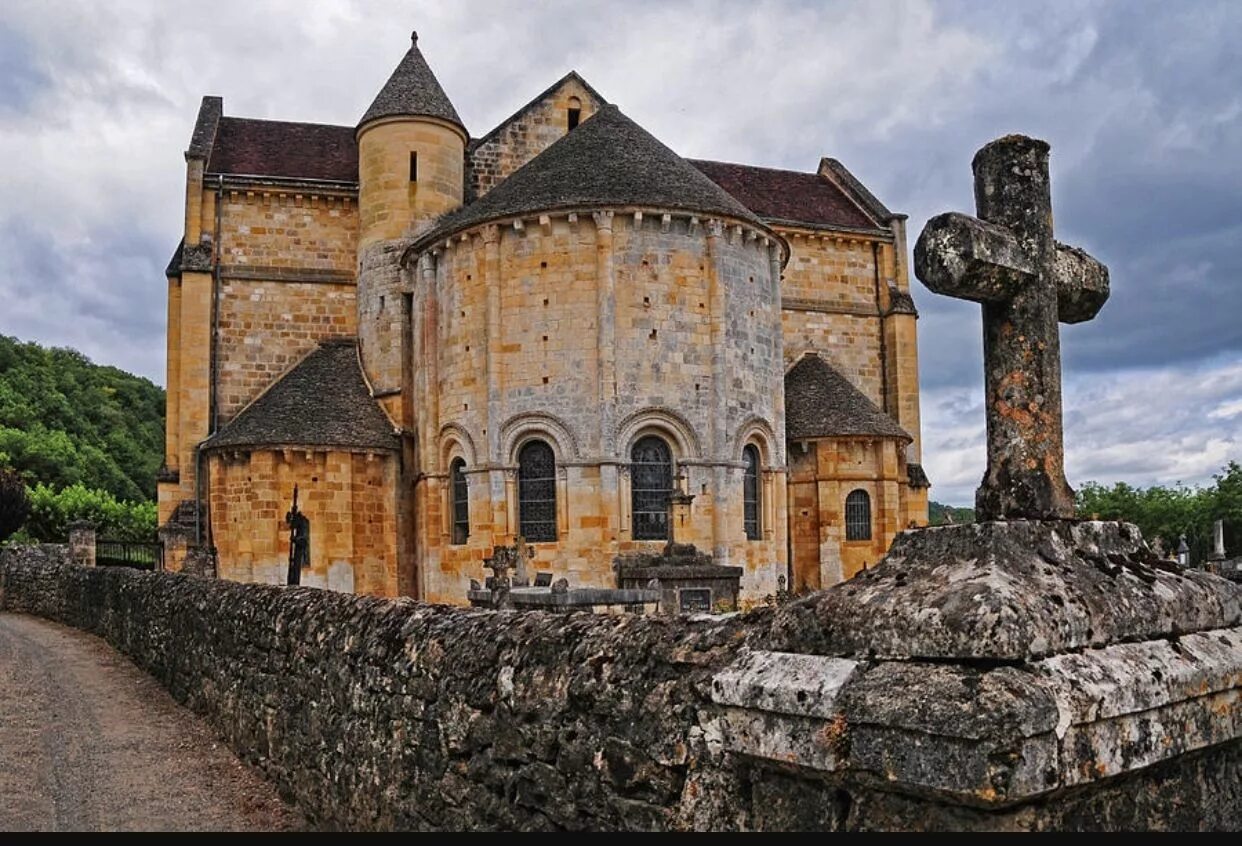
x=412, y=148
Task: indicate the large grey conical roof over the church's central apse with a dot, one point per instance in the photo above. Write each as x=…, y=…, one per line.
x=609, y=161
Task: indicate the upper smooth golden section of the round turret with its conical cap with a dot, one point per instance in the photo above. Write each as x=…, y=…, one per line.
x=412, y=150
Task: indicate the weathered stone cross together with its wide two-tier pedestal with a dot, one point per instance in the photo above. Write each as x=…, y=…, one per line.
x=1029, y=670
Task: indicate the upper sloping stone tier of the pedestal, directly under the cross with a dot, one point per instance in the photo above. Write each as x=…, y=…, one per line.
x=1009, y=592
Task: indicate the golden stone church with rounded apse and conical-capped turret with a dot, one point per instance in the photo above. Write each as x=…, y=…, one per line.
x=445, y=342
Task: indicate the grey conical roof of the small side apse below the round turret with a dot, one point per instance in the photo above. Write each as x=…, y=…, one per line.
x=322, y=402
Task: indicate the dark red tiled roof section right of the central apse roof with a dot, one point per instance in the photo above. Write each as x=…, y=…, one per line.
x=787, y=196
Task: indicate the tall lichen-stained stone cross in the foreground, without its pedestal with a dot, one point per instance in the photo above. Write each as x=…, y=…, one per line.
x=1008, y=260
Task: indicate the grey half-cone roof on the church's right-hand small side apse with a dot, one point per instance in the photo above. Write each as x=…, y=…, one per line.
x=822, y=403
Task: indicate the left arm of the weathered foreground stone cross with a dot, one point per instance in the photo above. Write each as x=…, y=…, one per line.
x=966, y=258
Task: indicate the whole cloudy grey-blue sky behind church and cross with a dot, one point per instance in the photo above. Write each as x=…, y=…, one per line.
x=1141, y=101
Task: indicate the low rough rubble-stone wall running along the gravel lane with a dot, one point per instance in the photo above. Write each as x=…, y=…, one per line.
x=392, y=715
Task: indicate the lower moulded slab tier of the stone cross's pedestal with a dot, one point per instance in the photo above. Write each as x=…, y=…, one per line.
x=987, y=739
